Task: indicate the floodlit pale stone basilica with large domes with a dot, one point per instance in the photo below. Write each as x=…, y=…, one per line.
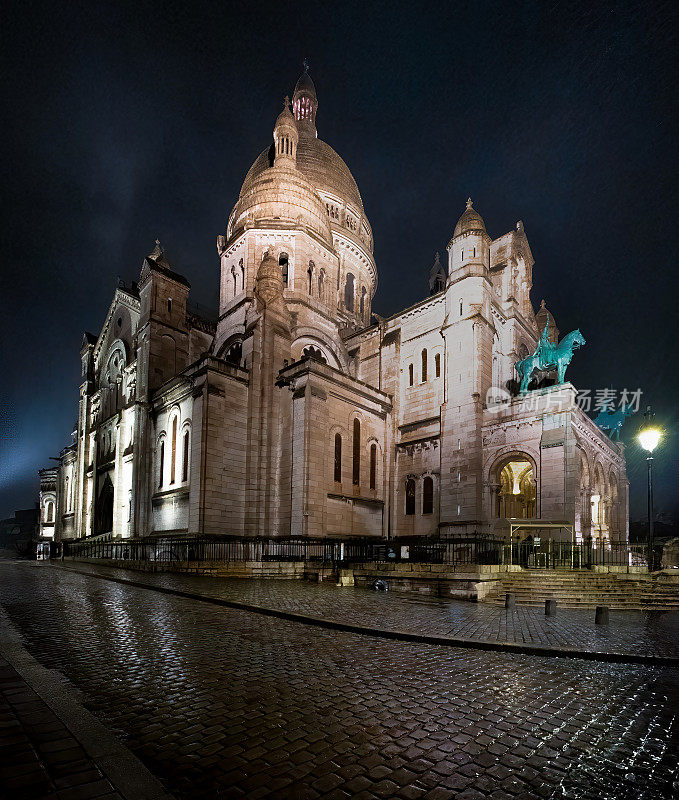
x=296, y=411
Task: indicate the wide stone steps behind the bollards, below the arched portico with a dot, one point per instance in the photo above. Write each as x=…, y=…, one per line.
x=584, y=589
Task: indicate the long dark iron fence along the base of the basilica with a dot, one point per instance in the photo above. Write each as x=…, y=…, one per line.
x=459, y=551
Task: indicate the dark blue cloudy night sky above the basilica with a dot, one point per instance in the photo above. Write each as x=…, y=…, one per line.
x=124, y=123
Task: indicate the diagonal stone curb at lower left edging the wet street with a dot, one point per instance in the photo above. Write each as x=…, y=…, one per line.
x=126, y=773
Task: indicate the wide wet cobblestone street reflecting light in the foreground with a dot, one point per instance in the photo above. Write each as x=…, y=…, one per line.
x=224, y=703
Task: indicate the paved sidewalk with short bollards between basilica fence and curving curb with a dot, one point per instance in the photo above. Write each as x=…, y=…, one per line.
x=633, y=632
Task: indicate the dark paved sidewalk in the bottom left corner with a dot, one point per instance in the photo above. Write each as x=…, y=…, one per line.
x=40, y=758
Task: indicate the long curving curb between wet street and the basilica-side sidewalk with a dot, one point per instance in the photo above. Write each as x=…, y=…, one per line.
x=394, y=633
